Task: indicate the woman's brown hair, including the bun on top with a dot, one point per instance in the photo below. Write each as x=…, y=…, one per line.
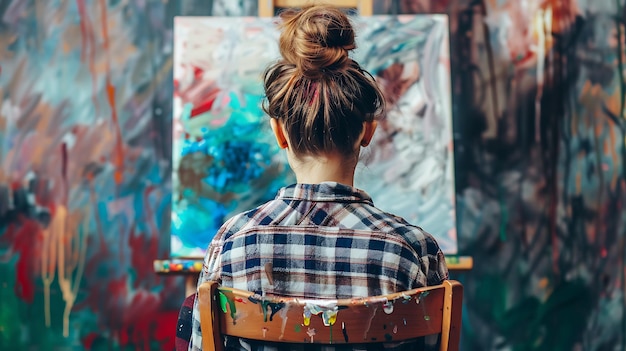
x=320, y=95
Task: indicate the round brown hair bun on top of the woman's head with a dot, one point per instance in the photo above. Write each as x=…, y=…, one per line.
x=316, y=40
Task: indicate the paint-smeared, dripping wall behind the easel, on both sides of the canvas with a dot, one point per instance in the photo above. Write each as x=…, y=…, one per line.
x=85, y=191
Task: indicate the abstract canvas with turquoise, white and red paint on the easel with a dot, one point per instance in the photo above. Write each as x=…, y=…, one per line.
x=225, y=157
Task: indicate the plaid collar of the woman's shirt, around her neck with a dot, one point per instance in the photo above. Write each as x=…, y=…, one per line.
x=325, y=191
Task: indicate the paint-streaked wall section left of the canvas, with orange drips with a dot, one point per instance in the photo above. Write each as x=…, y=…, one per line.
x=84, y=175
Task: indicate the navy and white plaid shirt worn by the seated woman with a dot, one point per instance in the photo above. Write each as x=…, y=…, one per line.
x=320, y=241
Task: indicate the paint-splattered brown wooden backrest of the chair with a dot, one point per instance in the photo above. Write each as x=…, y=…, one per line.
x=389, y=318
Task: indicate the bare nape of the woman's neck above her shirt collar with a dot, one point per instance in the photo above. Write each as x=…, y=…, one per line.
x=327, y=168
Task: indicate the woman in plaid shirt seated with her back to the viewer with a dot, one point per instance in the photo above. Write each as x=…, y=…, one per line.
x=320, y=238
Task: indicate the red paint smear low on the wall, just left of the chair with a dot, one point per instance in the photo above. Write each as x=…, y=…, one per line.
x=133, y=315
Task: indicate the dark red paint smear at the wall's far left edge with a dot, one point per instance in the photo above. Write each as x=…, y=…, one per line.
x=26, y=238
